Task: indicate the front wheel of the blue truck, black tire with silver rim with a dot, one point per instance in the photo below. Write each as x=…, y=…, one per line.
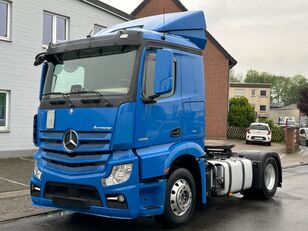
x=180, y=199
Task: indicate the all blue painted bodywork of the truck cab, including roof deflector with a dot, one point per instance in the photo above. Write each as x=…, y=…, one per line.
x=134, y=132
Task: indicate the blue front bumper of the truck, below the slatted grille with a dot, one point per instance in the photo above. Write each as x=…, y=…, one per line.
x=141, y=199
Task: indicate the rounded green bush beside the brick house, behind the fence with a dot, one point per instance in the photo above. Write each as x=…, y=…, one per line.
x=241, y=113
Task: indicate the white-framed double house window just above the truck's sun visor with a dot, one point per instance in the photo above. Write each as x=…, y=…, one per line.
x=55, y=28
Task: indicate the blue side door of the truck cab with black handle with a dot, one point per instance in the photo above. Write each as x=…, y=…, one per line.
x=158, y=122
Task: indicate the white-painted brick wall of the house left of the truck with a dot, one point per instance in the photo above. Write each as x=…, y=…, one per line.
x=17, y=73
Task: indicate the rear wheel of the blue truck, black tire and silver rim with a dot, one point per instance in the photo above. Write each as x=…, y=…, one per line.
x=269, y=178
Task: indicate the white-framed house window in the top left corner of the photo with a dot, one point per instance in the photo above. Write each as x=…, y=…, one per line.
x=5, y=20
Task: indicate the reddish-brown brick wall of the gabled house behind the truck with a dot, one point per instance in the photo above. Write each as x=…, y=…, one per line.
x=216, y=75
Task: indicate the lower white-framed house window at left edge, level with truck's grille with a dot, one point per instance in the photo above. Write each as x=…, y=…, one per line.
x=4, y=110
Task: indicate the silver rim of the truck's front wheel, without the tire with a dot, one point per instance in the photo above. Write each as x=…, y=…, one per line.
x=180, y=197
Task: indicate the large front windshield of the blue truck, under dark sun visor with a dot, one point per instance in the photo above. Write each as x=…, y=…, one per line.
x=91, y=71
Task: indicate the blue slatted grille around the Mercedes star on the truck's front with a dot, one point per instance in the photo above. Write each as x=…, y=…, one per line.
x=90, y=156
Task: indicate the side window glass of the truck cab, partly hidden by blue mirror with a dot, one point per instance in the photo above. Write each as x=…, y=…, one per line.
x=149, y=75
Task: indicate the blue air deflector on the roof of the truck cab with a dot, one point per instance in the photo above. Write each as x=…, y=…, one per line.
x=190, y=25
